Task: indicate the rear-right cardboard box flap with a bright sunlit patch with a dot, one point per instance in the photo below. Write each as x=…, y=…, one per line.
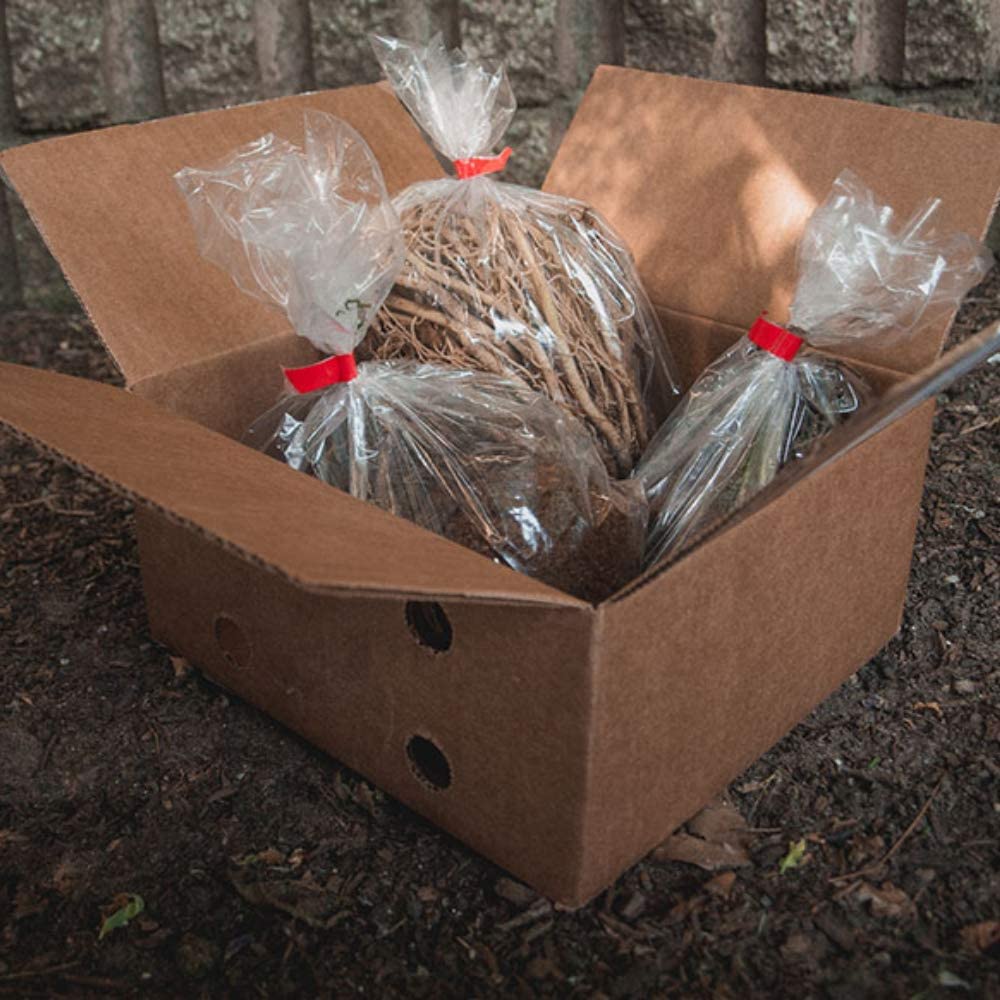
x=711, y=184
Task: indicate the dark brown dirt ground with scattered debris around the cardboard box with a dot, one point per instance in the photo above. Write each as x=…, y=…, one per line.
x=268, y=869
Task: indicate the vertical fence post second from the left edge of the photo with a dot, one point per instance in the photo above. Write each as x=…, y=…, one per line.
x=130, y=61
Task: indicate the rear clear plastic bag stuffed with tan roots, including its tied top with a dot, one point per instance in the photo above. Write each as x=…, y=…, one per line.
x=505, y=279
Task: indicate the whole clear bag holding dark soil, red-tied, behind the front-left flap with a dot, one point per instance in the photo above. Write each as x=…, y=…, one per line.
x=479, y=458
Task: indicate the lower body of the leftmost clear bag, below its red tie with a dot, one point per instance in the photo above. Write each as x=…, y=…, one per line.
x=481, y=459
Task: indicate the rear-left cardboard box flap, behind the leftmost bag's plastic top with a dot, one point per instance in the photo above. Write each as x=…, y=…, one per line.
x=107, y=205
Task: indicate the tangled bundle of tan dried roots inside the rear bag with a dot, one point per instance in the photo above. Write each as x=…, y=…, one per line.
x=539, y=296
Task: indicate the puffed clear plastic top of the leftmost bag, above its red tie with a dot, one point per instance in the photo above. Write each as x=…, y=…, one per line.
x=310, y=229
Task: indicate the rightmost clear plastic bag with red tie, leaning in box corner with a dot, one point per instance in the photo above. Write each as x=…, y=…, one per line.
x=764, y=401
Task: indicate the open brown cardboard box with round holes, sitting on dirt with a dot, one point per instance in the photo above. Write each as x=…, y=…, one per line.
x=561, y=740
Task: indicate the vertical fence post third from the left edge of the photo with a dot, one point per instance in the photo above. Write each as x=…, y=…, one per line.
x=283, y=38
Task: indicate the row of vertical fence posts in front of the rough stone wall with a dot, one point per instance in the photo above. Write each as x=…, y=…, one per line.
x=587, y=33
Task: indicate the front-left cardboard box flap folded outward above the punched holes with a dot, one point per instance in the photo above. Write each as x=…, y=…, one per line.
x=314, y=535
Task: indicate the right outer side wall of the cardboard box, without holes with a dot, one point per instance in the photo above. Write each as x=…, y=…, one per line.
x=785, y=690
